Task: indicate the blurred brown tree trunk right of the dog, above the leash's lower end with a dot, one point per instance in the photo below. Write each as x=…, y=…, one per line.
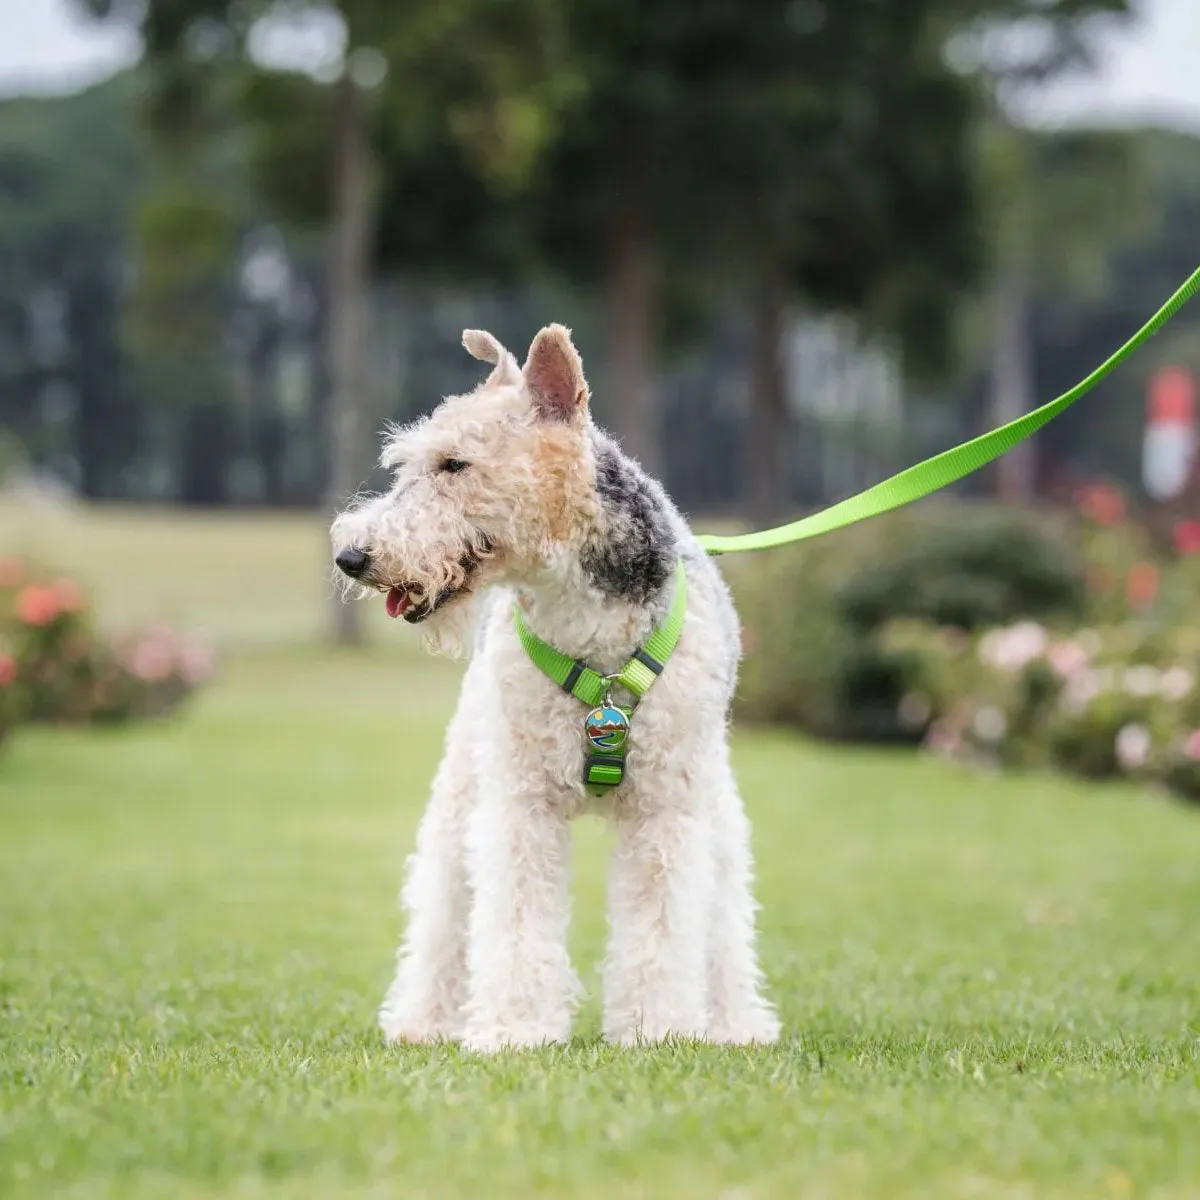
x=769, y=463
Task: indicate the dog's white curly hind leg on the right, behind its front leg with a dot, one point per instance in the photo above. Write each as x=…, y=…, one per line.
x=739, y=1012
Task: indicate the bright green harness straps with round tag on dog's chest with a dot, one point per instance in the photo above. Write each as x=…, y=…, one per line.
x=607, y=727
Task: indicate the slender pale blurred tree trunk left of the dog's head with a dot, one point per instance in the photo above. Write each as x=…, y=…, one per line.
x=347, y=317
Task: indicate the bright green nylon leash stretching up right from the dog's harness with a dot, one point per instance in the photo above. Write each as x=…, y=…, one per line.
x=935, y=473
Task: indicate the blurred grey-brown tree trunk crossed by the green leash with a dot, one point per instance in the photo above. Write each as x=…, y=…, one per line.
x=1012, y=386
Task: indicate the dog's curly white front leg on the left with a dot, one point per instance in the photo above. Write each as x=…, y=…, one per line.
x=523, y=988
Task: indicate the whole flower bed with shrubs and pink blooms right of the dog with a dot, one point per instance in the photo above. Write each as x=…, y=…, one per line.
x=1060, y=640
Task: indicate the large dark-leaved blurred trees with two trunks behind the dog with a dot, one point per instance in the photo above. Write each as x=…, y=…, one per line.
x=794, y=149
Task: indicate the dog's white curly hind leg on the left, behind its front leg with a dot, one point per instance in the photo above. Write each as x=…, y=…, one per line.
x=427, y=1000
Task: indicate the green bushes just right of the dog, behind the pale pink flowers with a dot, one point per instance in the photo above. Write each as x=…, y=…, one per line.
x=817, y=615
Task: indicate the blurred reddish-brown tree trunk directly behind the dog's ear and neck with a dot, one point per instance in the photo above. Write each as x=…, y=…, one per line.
x=631, y=331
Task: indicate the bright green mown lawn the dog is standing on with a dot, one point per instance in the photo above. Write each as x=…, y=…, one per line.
x=991, y=987
